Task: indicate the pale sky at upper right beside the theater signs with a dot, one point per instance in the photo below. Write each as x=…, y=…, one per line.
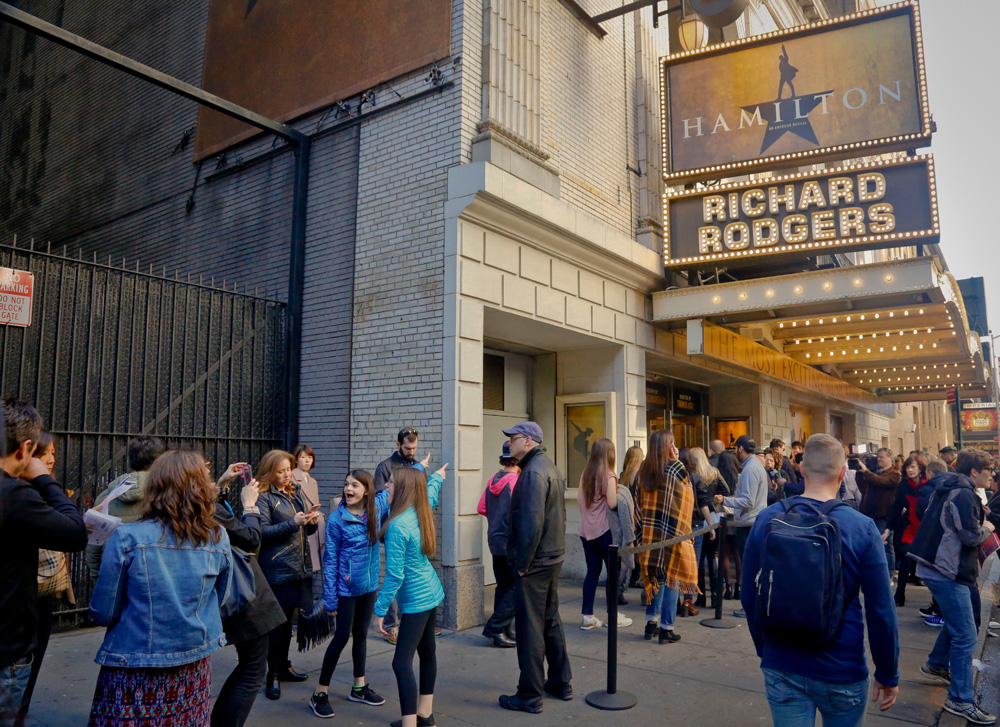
x=962, y=57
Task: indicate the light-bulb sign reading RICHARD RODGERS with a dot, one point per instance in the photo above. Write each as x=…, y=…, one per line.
x=855, y=207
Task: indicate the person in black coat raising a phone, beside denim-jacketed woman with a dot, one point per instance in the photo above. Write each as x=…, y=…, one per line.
x=248, y=630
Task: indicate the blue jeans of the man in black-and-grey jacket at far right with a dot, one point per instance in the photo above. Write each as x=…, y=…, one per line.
x=957, y=640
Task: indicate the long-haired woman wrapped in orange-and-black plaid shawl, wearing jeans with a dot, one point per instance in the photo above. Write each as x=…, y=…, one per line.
x=666, y=501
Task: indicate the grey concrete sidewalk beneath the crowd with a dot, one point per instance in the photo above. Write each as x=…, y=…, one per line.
x=710, y=678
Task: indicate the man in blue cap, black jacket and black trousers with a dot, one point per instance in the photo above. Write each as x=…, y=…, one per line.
x=536, y=548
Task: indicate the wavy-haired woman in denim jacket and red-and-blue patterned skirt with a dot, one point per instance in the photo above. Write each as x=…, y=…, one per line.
x=162, y=629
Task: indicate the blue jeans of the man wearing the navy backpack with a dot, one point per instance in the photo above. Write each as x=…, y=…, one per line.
x=795, y=699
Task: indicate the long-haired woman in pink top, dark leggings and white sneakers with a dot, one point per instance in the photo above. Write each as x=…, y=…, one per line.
x=598, y=492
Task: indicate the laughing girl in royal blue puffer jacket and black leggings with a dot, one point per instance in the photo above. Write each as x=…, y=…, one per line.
x=350, y=583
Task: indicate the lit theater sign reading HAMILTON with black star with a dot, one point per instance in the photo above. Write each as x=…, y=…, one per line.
x=822, y=91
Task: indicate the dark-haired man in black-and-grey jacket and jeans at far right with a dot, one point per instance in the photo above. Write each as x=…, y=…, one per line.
x=946, y=550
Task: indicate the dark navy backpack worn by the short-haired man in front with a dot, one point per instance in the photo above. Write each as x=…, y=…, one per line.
x=800, y=585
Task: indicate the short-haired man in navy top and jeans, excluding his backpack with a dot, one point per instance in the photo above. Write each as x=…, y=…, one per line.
x=832, y=678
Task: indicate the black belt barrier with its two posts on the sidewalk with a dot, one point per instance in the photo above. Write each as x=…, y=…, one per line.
x=611, y=698
